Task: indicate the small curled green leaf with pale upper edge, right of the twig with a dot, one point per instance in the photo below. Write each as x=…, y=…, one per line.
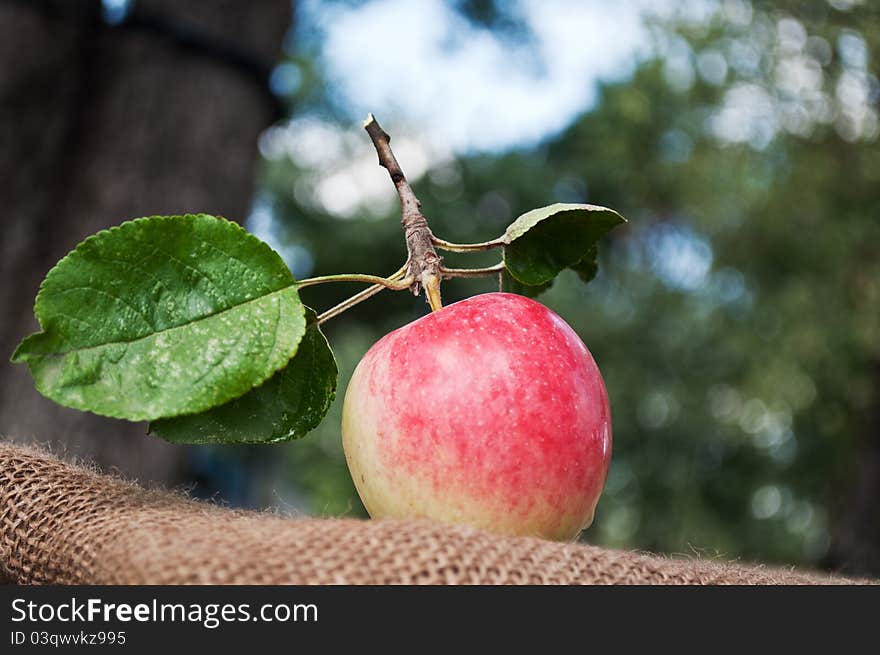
x=542, y=242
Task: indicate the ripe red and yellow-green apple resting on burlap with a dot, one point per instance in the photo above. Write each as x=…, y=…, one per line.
x=489, y=412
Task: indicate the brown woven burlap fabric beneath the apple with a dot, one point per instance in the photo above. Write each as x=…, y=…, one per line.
x=67, y=524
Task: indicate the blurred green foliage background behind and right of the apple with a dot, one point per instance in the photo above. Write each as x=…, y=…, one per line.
x=735, y=318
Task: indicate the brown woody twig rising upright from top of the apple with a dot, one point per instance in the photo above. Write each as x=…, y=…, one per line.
x=424, y=264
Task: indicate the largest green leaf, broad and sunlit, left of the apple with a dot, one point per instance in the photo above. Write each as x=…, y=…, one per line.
x=163, y=316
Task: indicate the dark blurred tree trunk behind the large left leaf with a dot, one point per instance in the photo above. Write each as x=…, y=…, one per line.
x=99, y=124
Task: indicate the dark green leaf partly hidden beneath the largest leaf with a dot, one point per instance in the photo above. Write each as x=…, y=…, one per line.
x=287, y=406
